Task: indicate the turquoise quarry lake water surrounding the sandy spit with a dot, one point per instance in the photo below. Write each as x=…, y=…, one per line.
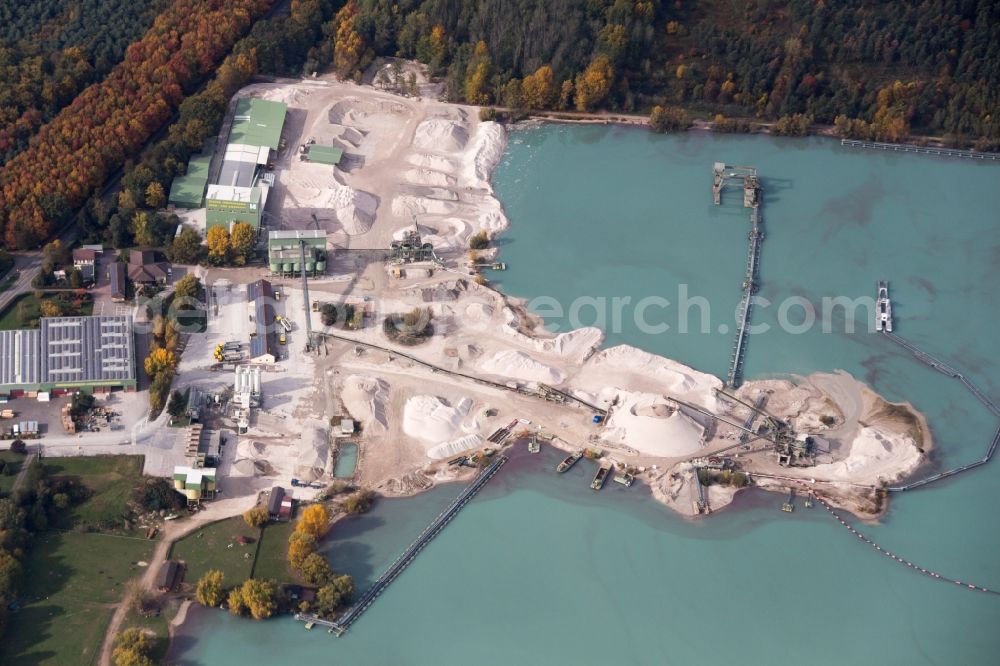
x=540, y=570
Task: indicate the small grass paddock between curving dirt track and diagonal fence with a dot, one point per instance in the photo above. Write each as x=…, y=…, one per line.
x=208, y=548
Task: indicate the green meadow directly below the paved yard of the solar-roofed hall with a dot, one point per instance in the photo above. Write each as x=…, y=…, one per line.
x=111, y=478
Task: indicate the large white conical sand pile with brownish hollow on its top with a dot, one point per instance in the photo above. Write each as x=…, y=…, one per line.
x=648, y=423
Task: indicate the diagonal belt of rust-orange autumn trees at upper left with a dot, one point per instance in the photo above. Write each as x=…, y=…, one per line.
x=110, y=121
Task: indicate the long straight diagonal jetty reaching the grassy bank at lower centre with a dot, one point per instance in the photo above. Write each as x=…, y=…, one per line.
x=351, y=615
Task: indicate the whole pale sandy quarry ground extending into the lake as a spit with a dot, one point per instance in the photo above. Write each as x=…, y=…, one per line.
x=417, y=163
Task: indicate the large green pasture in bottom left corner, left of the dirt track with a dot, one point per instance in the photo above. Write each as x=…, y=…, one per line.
x=72, y=582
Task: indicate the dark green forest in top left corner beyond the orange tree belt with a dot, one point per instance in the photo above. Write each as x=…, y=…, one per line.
x=50, y=50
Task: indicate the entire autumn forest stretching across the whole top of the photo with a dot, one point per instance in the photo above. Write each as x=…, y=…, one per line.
x=890, y=71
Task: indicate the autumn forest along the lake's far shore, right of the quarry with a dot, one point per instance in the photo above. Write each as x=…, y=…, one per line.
x=886, y=70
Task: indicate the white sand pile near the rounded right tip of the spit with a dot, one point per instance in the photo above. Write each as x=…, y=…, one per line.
x=874, y=456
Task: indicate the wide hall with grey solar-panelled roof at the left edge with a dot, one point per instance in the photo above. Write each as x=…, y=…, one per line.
x=69, y=353
